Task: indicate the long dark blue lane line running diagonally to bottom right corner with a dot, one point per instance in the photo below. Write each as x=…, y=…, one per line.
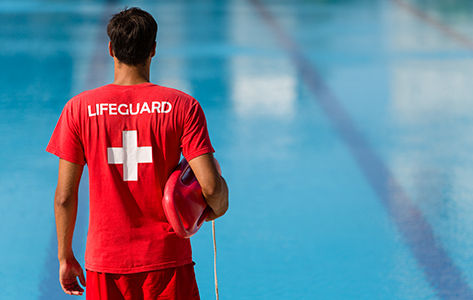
x=440, y=271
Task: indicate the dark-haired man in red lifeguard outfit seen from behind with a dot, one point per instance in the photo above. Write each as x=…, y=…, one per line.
x=131, y=134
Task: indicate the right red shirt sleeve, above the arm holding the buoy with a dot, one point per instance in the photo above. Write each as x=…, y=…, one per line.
x=195, y=139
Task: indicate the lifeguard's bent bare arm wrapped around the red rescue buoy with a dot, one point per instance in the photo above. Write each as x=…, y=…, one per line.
x=214, y=187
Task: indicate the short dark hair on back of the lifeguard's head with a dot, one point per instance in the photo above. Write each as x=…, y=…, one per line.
x=132, y=33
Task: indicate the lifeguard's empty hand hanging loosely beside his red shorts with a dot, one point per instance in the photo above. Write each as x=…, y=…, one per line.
x=69, y=269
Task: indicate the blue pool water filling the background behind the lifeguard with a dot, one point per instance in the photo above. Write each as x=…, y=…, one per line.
x=342, y=128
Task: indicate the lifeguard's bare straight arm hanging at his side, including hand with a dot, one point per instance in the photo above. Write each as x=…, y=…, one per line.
x=65, y=210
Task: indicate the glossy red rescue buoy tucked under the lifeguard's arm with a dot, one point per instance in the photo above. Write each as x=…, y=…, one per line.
x=183, y=203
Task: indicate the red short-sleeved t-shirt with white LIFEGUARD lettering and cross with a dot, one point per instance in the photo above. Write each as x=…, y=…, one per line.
x=131, y=137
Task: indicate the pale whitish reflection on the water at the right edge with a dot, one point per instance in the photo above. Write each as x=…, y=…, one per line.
x=430, y=91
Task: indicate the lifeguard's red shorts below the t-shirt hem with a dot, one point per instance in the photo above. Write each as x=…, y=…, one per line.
x=172, y=283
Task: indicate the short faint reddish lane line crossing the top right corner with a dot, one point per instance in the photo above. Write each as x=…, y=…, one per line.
x=460, y=38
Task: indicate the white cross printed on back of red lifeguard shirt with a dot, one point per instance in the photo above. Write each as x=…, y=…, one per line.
x=130, y=155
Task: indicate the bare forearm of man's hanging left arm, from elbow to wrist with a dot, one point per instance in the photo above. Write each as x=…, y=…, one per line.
x=65, y=210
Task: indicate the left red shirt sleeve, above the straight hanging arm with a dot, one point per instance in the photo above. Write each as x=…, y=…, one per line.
x=65, y=141
